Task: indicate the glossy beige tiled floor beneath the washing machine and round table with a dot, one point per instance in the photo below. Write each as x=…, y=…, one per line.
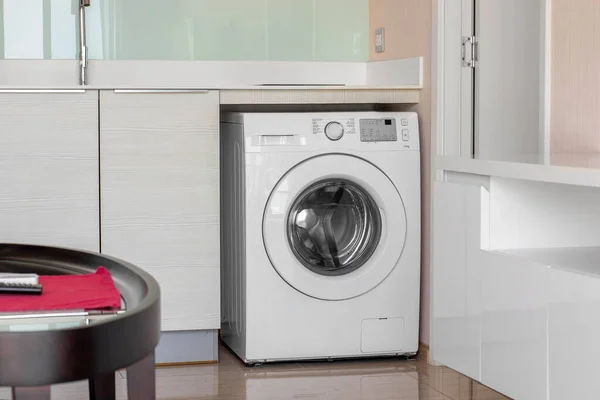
x=387, y=379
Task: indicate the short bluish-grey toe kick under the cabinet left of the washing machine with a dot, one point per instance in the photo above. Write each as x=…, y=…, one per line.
x=187, y=347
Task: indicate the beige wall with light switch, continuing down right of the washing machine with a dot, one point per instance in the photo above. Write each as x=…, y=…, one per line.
x=407, y=26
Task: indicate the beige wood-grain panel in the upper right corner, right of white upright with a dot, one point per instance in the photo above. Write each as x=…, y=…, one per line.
x=575, y=89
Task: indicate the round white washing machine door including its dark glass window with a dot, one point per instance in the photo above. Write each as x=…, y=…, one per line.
x=334, y=227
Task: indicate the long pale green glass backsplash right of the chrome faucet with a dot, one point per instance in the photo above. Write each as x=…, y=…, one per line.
x=277, y=30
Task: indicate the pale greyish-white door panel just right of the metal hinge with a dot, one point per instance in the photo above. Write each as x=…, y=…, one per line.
x=510, y=80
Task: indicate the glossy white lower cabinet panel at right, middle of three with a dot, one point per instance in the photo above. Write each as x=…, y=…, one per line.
x=514, y=326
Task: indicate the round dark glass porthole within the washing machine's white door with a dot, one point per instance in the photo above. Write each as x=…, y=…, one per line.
x=334, y=226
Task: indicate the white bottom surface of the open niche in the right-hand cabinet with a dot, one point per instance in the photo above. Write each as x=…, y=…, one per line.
x=583, y=260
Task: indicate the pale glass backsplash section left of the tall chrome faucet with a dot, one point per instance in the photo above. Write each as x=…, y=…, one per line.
x=38, y=29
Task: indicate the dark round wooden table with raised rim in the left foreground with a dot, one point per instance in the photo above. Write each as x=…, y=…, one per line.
x=41, y=349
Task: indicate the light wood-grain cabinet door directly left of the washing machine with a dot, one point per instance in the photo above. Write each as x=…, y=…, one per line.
x=160, y=196
